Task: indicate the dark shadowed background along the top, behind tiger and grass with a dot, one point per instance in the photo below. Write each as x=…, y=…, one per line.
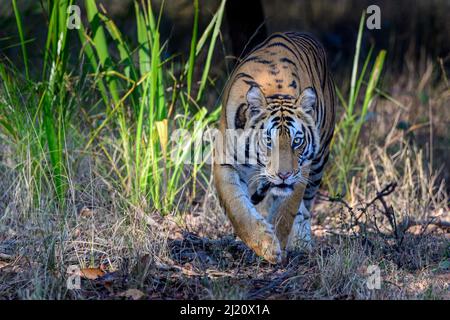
x=412, y=28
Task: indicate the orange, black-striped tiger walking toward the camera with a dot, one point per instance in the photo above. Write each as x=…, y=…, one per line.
x=277, y=119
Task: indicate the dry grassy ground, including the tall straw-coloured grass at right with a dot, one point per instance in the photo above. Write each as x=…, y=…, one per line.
x=394, y=219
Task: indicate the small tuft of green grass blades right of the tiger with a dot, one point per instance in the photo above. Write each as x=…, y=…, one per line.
x=345, y=147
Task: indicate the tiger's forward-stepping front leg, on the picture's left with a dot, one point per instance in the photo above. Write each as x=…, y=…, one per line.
x=249, y=225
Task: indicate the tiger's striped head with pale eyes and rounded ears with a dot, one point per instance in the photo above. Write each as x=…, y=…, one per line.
x=288, y=137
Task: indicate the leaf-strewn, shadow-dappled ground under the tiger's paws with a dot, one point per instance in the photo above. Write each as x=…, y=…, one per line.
x=196, y=256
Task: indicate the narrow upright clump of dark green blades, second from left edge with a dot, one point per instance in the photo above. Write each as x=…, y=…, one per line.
x=50, y=114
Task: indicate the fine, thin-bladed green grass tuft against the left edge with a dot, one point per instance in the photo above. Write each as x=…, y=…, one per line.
x=17, y=118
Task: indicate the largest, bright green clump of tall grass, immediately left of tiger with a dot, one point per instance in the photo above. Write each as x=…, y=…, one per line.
x=150, y=176
